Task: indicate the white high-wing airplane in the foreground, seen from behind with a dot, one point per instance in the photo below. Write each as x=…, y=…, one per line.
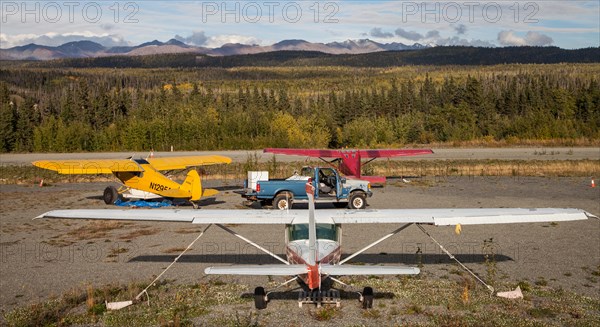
x=313, y=239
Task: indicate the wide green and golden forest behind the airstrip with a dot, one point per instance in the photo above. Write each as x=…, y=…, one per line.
x=66, y=110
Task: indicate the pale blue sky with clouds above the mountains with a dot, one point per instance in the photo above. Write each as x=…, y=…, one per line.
x=567, y=24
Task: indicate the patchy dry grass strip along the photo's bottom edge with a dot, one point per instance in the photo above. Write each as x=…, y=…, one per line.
x=429, y=302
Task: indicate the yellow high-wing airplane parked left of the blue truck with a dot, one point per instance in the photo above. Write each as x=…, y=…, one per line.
x=142, y=178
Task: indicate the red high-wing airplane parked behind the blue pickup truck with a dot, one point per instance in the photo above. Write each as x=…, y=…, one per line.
x=350, y=159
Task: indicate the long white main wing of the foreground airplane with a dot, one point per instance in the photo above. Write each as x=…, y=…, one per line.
x=437, y=217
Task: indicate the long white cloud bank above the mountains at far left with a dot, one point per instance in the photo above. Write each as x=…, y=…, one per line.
x=55, y=39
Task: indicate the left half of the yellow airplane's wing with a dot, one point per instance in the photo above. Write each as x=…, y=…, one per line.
x=92, y=166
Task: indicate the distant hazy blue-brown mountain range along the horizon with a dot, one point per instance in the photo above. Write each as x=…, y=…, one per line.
x=89, y=49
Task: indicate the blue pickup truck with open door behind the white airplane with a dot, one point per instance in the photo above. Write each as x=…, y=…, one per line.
x=329, y=187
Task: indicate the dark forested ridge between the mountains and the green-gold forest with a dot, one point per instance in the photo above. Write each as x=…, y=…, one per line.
x=427, y=56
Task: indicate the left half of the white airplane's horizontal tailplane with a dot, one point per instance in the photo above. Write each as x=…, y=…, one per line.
x=257, y=270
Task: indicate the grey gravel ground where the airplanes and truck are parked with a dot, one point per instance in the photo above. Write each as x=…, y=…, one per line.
x=42, y=258
